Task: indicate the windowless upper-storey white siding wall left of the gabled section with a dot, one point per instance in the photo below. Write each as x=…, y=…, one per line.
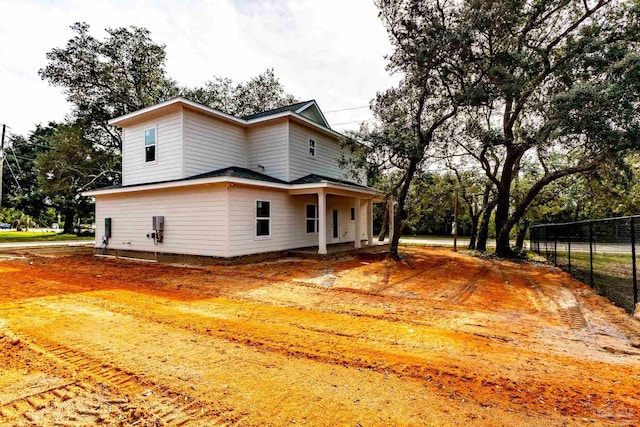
x=211, y=144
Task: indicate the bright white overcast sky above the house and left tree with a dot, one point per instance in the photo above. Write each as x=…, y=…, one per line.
x=332, y=51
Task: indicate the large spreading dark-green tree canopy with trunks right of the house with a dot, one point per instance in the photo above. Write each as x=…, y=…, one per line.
x=549, y=88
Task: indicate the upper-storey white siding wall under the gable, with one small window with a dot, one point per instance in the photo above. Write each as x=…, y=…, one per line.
x=326, y=161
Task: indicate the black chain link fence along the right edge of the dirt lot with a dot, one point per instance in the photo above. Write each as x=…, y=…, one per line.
x=599, y=252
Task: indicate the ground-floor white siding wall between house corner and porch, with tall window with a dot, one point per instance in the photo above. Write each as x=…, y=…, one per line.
x=288, y=221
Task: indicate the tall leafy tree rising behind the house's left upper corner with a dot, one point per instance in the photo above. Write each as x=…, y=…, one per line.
x=108, y=78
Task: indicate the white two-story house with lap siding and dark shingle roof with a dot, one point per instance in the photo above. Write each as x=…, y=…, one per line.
x=224, y=186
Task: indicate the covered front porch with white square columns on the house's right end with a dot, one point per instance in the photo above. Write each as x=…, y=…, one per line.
x=342, y=217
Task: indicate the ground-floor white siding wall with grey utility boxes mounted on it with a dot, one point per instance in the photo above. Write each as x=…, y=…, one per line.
x=195, y=220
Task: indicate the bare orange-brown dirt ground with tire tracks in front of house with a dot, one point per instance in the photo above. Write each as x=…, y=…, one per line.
x=437, y=339
